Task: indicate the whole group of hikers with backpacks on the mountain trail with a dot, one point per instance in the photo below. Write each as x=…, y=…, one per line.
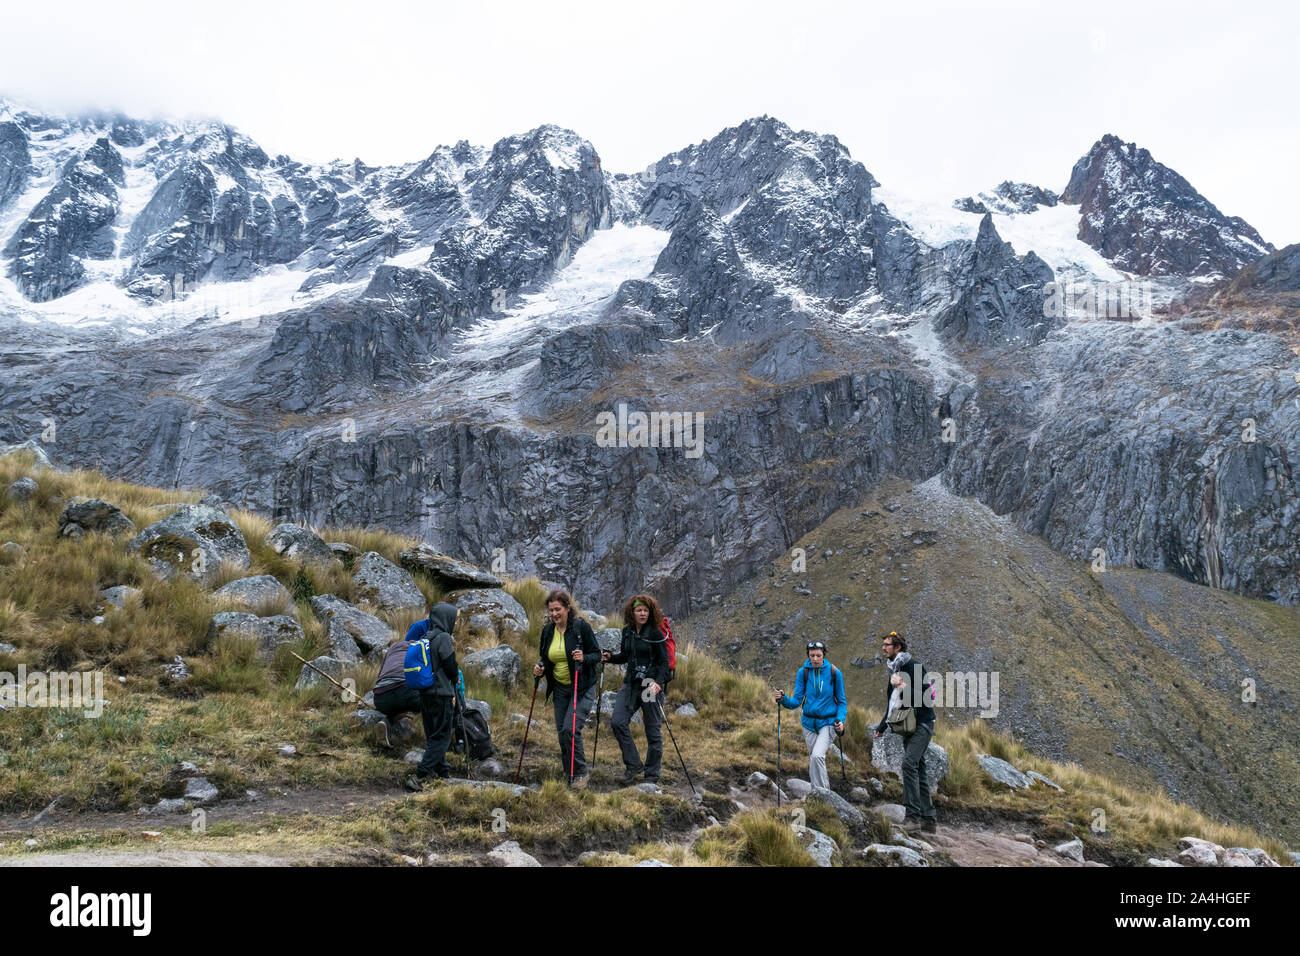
x=421, y=676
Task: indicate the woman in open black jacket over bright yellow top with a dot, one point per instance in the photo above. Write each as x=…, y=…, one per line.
x=567, y=648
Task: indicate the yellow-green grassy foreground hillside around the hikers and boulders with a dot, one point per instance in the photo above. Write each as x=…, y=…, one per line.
x=337, y=799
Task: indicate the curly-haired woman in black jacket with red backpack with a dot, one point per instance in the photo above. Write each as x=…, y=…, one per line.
x=645, y=652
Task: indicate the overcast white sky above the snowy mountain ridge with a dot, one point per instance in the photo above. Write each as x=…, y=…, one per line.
x=939, y=100
